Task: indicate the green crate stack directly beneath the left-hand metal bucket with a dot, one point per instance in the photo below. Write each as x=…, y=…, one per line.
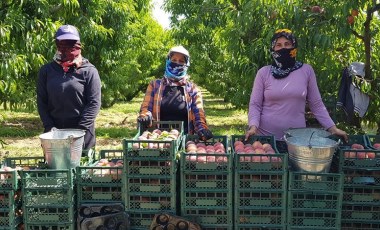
x=48, y=199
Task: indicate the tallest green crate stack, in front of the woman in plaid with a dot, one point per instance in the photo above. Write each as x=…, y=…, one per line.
x=150, y=173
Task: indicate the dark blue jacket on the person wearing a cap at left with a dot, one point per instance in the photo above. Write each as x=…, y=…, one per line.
x=69, y=100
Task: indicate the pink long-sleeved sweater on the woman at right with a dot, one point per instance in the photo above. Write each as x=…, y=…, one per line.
x=279, y=104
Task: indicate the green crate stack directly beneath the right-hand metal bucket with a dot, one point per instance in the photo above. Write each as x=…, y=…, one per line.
x=314, y=200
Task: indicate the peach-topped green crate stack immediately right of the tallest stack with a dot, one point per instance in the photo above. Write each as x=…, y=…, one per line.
x=206, y=176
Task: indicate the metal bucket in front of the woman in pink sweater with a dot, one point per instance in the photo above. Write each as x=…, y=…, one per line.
x=310, y=153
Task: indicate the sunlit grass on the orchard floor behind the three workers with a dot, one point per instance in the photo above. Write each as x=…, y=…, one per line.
x=19, y=130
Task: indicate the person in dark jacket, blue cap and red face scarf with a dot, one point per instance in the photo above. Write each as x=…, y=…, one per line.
x=69, y=88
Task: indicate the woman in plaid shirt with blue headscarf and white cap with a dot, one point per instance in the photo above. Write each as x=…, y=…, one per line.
x=175, y=98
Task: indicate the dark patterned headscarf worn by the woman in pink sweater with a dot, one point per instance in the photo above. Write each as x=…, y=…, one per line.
x=284, y=60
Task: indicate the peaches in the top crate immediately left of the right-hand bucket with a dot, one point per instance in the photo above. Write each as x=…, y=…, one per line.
x=255, y=148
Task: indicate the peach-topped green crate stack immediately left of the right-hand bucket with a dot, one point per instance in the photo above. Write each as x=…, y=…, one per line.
x=260, y=184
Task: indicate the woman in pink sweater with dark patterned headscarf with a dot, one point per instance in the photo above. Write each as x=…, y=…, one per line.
x=281, y=90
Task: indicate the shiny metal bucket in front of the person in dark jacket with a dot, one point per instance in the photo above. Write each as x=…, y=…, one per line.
x=63, y=147
